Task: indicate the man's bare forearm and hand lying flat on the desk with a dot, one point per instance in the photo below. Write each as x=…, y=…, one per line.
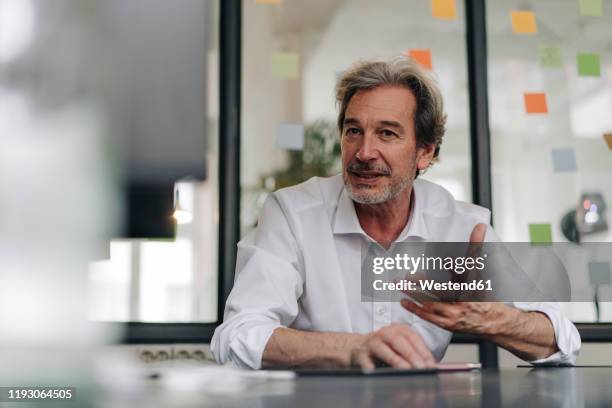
x=395, y=345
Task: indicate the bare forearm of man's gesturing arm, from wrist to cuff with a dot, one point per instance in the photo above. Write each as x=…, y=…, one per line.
x=529, y=335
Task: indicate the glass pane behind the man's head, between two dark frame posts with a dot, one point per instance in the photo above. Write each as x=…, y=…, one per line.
x=293, y=52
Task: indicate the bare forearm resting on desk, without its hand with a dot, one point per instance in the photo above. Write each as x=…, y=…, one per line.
x=295, y=348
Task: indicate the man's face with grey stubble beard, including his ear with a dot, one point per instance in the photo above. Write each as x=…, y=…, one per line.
x=379, y=151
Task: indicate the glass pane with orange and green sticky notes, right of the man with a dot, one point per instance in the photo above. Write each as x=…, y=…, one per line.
x=551, y=104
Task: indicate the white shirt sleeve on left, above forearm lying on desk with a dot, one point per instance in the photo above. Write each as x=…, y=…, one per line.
x=266, y=290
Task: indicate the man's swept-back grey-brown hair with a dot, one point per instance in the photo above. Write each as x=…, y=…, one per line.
x=429, y=117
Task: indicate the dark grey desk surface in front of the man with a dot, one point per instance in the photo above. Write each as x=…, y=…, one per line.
x=520, y=387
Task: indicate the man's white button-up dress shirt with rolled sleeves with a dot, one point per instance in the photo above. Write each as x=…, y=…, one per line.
x=300, y=268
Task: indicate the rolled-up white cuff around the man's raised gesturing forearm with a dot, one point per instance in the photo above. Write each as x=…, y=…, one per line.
x=566, y=334
